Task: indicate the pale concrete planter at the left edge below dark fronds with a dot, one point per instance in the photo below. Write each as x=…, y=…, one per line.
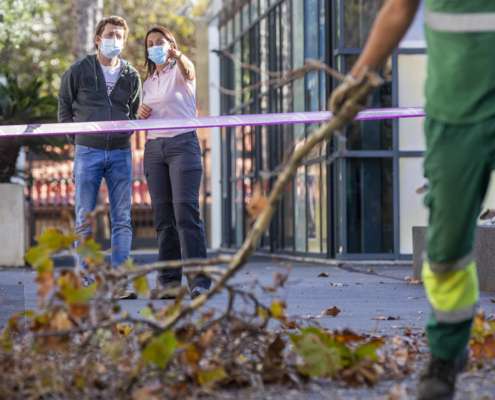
x=12, y=225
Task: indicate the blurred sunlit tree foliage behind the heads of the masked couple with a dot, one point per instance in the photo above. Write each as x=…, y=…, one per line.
x=36, y=36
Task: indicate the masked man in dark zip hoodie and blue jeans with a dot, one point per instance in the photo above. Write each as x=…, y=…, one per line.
x=103, y=87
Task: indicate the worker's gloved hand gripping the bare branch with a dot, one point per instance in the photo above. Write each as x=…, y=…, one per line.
x=347, y=89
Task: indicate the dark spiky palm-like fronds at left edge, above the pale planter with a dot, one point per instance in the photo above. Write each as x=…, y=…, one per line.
x=25, y=105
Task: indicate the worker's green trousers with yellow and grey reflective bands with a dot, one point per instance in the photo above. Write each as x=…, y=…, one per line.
x=458, y=163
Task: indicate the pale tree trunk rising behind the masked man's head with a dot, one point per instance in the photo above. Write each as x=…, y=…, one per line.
x=85, y=16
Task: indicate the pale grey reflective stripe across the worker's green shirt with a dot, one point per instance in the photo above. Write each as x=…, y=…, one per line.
x=468, y=22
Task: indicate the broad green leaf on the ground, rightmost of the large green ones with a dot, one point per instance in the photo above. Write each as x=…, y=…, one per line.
x=319, y=360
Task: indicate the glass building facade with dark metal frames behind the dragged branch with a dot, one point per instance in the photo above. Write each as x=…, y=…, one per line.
x=354, y=197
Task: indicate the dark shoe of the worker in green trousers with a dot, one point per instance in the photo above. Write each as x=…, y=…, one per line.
x=438, y=382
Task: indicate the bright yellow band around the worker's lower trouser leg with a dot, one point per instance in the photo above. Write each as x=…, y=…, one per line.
x=451, y=291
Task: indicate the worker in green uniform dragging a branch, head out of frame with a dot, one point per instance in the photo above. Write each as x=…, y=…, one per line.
x=460, y=142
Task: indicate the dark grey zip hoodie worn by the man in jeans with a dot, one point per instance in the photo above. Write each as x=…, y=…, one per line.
x=83, y=97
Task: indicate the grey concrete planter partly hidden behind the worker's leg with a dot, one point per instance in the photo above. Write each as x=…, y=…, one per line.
x=484, y=252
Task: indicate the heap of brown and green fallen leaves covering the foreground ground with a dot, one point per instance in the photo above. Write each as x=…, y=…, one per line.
x=80, y=342
